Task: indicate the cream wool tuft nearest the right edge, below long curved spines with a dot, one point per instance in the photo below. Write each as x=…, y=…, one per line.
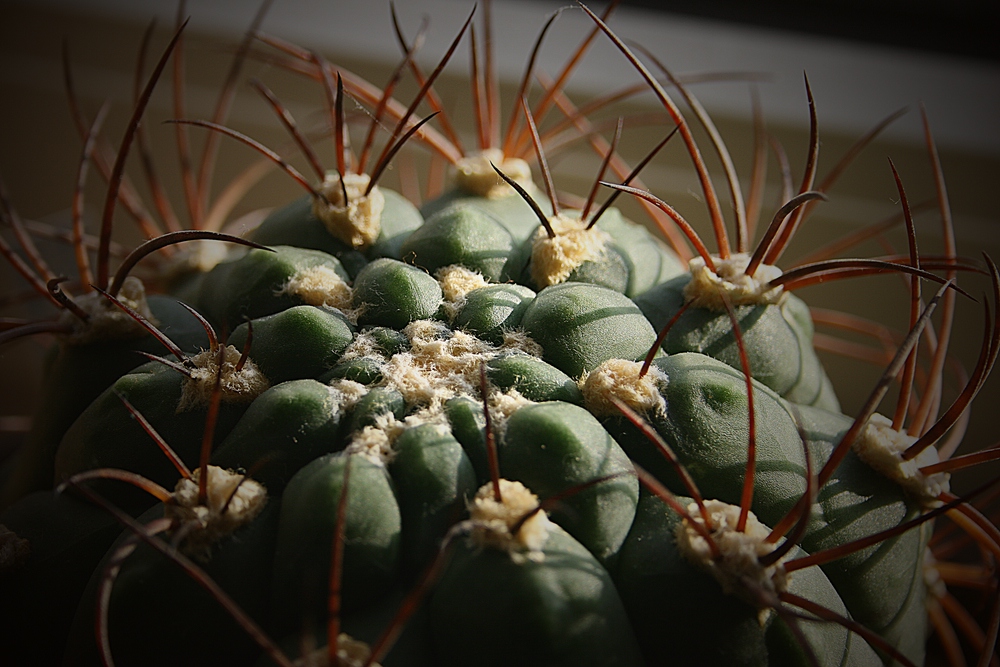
x=881, y=447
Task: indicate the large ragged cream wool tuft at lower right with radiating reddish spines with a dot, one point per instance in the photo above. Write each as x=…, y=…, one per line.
x=738, y=561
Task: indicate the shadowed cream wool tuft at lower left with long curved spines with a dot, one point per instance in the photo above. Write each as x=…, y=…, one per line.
x=232, y=500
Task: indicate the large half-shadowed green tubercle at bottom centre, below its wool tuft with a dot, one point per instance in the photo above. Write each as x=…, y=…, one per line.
x=488, y=609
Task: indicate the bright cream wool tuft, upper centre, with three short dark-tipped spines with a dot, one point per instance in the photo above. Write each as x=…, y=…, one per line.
x=554, y=259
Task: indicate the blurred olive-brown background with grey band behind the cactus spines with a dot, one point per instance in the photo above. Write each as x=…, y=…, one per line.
x=863, y=61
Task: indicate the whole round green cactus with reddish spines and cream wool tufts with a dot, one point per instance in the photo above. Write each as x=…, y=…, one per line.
x=495, y=428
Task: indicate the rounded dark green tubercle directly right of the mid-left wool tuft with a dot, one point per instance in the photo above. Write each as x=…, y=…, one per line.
x=301, y=342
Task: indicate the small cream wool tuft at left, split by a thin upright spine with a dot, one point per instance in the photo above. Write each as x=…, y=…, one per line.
x=241, y=386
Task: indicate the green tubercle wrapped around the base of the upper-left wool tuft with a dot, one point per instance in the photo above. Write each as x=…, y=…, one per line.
x=295, y=225
